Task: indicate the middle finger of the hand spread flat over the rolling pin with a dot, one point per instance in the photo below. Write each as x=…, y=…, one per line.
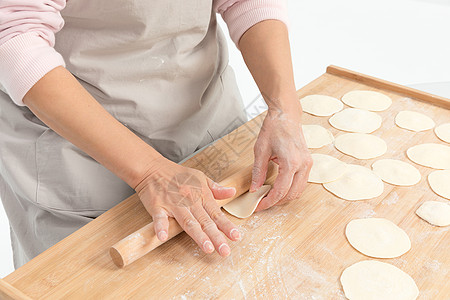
x=210, y=228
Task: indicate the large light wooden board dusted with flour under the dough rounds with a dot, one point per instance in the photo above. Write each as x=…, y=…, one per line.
x=295, y=251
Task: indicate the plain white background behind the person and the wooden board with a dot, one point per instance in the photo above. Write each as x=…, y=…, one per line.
x=404, y=41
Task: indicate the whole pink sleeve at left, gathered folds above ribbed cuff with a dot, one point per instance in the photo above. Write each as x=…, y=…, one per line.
x=27, y=37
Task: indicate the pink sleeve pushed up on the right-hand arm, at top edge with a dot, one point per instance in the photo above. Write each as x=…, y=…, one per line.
x=240, y=15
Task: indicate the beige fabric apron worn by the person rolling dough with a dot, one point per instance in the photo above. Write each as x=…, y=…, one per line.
x=159, y=67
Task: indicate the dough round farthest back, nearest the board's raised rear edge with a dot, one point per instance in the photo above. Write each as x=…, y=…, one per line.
x=369, y=100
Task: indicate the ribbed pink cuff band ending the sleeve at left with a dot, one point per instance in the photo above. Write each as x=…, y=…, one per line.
x=24, y=60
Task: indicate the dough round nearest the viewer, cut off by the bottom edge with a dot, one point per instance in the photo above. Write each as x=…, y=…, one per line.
x=374, y=280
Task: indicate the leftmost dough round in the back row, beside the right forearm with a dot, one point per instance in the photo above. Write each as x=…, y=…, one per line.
x=321, y=105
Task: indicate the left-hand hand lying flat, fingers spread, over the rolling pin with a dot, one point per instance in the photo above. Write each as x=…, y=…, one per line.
x=171, y=190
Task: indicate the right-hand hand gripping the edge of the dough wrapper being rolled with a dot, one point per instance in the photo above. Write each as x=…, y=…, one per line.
x=281, y=140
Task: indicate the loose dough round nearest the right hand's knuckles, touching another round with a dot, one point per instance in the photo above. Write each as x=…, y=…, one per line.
x=326, y=168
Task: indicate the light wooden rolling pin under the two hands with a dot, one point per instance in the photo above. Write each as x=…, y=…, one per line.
x=145, y=240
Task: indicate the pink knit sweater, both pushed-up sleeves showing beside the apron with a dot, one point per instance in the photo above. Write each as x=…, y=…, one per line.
x=28, y=27
